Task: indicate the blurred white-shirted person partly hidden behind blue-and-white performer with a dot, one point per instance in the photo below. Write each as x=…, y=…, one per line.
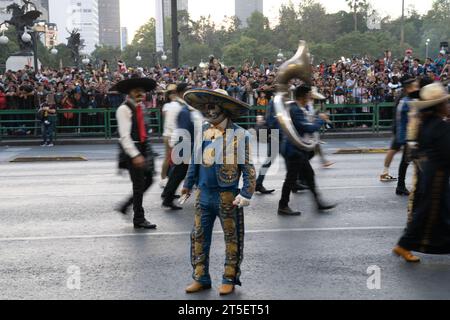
x=170, y=113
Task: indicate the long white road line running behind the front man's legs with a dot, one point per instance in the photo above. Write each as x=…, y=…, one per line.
x=185, y=233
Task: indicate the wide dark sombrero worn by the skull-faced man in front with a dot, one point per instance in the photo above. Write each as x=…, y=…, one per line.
x=199, y=98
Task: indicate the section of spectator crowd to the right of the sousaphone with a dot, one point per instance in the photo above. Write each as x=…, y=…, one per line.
x=362, y=80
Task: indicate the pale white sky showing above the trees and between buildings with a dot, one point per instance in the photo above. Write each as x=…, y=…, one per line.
x=135, y=13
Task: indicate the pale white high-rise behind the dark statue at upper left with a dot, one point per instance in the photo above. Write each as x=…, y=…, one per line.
x=76, y=14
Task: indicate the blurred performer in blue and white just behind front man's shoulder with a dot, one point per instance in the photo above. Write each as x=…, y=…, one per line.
x=188, y=119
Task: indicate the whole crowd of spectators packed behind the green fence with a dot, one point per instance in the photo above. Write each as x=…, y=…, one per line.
x=344, y=82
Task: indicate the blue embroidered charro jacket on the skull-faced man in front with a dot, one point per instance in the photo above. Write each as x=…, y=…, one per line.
x=228, y=175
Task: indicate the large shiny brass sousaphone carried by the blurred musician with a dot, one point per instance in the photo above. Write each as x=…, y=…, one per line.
x=298, y=67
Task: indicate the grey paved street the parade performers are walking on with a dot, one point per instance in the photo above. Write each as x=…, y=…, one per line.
x=58, y=215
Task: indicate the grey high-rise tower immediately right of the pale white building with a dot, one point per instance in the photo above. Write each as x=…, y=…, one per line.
x=109, y=22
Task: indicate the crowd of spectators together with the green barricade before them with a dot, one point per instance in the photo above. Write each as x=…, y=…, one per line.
x=360, y=94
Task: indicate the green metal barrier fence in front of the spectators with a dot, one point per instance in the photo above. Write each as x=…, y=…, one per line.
x=103, y=123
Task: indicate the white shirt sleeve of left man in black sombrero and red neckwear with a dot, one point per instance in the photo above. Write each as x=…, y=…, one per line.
x=124, y=118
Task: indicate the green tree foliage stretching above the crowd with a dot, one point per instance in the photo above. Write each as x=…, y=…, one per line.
x=329, y=36
